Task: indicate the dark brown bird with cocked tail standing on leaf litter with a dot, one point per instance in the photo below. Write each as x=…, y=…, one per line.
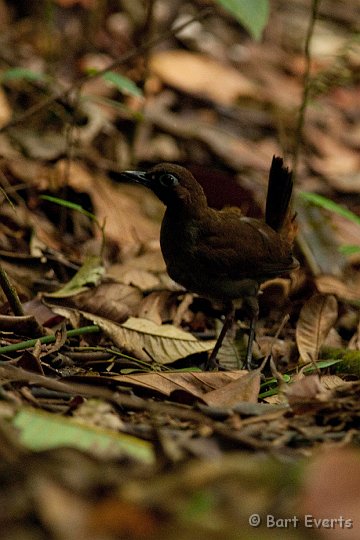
x=222, y=254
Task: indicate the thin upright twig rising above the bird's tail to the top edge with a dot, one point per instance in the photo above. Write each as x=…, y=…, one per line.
x=306, y=87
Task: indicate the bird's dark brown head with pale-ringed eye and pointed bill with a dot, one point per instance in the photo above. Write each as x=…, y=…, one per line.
x=172, y=184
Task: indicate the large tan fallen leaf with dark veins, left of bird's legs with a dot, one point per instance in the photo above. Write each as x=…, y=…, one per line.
x=145, y=340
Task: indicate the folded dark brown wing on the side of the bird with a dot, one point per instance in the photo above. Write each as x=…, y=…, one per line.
x=245, y=247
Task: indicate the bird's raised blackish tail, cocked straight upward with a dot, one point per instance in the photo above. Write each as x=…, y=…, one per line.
x=278, y=213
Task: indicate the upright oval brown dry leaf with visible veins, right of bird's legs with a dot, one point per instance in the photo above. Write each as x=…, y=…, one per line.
x=317, y=316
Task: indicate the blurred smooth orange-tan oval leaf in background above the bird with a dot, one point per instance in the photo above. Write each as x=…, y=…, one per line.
x=199, y=75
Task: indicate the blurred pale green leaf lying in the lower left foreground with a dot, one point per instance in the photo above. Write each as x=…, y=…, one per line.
x=40, y=430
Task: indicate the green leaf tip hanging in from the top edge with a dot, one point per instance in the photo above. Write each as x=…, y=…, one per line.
x=252, y=14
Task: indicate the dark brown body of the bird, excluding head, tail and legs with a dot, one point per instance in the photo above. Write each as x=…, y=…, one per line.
x=212, y=255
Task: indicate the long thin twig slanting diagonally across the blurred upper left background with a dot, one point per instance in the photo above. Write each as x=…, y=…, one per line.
x=63, y=94
